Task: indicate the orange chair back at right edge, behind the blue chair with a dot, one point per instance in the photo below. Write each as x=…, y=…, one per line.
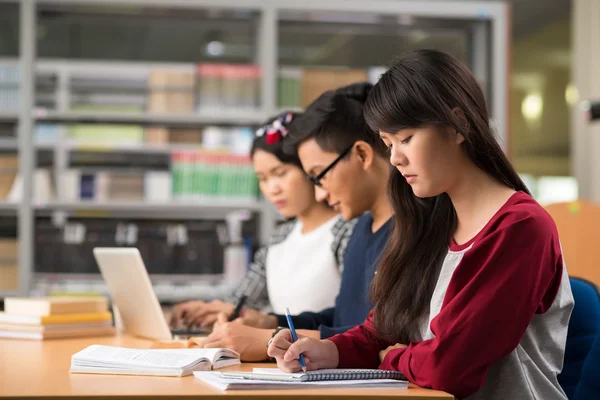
x=578, y=226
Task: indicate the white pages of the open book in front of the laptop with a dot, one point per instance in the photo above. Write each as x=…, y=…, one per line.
x=170, y=358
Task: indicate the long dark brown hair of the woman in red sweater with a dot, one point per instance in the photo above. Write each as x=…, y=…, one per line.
x=426, y=87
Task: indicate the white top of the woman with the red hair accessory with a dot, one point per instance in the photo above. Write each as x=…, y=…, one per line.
x=302, y=273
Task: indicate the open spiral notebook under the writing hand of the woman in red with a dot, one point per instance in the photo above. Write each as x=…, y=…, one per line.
x=273, y=378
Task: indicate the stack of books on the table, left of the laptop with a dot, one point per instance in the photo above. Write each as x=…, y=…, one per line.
x=55, y=317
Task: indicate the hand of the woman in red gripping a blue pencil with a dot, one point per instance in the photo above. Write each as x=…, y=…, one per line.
x=318, y=354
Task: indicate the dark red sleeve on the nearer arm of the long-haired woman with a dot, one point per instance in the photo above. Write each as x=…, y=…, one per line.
x=501, y=283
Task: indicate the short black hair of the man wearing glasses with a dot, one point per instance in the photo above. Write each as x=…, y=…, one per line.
x=335, y=120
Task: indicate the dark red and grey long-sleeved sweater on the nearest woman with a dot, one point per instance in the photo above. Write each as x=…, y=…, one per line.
x=492, y=287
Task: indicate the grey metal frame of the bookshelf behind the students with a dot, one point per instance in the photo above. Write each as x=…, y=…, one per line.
x=484, y=41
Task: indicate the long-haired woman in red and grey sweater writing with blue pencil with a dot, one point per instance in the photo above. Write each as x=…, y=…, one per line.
x=472, y=295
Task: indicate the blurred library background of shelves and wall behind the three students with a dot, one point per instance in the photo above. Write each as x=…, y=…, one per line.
x=128, y=123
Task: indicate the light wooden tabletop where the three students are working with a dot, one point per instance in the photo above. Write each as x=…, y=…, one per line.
x=35, y=369
